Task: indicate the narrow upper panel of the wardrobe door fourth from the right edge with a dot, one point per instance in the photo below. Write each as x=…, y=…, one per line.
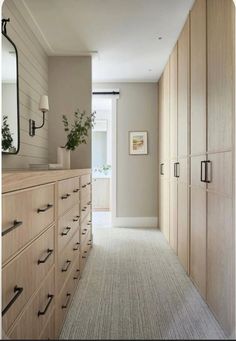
x=173, y=105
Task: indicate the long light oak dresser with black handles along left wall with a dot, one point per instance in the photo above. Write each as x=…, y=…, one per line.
x=44, y=248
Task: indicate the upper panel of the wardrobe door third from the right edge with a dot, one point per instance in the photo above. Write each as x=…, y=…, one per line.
x=183, y=90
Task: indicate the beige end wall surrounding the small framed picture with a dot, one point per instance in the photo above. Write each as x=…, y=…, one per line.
x=136, y=175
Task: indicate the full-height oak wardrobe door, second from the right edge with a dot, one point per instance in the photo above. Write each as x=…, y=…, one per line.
x=198, y=146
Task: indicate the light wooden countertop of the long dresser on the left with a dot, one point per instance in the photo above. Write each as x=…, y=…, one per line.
x=20, y=179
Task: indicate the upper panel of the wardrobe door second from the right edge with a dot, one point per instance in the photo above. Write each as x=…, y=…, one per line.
x=198, y=77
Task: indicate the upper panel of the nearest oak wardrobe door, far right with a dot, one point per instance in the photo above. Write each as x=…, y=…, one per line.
x=220, y=44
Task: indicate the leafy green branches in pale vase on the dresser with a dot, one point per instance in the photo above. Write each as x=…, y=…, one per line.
x=76, y=134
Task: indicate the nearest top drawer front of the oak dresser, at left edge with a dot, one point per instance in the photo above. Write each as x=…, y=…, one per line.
x=33, y=210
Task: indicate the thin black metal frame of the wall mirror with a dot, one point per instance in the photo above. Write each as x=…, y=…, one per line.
x=17, y=96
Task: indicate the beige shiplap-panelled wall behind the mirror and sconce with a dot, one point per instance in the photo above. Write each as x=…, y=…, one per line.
x=33, y=82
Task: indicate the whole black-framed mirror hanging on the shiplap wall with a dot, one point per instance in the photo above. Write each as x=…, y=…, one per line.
x=10, y=95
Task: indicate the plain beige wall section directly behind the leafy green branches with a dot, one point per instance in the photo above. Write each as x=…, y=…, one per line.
x=69, y=89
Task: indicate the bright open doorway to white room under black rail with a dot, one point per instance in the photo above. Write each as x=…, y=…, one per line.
x=102, y=161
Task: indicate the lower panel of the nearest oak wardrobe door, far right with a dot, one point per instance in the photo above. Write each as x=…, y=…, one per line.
x=220, y=269
